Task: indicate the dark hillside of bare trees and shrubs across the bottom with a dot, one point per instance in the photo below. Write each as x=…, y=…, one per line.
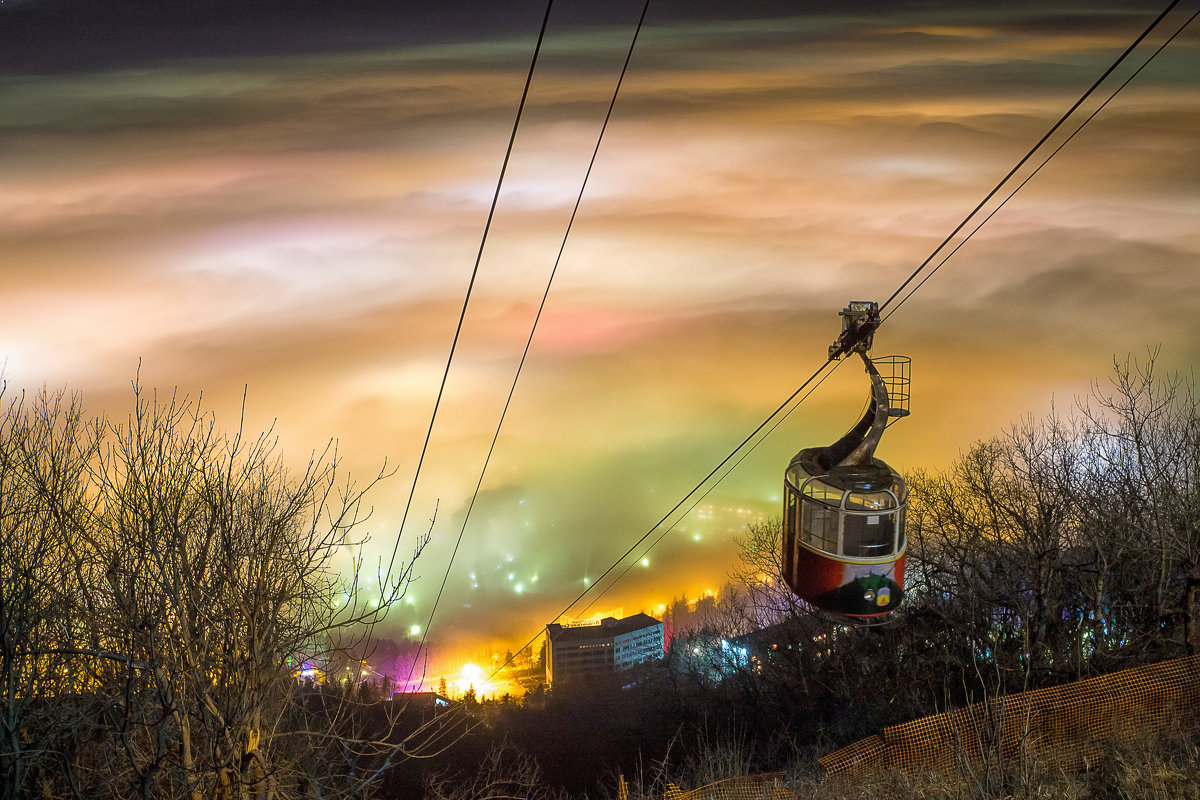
x=164, y=587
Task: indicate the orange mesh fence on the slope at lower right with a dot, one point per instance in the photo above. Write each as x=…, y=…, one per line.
x=1070, y=726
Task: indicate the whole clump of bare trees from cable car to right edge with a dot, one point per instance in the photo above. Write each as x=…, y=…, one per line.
x=1064, y=549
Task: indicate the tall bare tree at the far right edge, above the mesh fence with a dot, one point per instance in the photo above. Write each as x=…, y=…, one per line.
x=1141, y=491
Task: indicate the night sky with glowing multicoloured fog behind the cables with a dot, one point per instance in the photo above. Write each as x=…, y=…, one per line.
x=287, y=199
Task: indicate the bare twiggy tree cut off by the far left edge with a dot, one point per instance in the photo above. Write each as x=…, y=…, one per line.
x=45, y=452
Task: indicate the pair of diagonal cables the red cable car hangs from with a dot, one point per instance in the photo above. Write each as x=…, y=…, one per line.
x=920, y=269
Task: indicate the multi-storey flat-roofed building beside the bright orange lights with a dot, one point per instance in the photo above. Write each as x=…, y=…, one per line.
x=609, y=646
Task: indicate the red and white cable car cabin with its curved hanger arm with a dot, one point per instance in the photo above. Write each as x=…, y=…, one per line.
x=844, y=509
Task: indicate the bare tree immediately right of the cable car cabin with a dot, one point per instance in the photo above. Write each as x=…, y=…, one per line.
x=993, y=551
